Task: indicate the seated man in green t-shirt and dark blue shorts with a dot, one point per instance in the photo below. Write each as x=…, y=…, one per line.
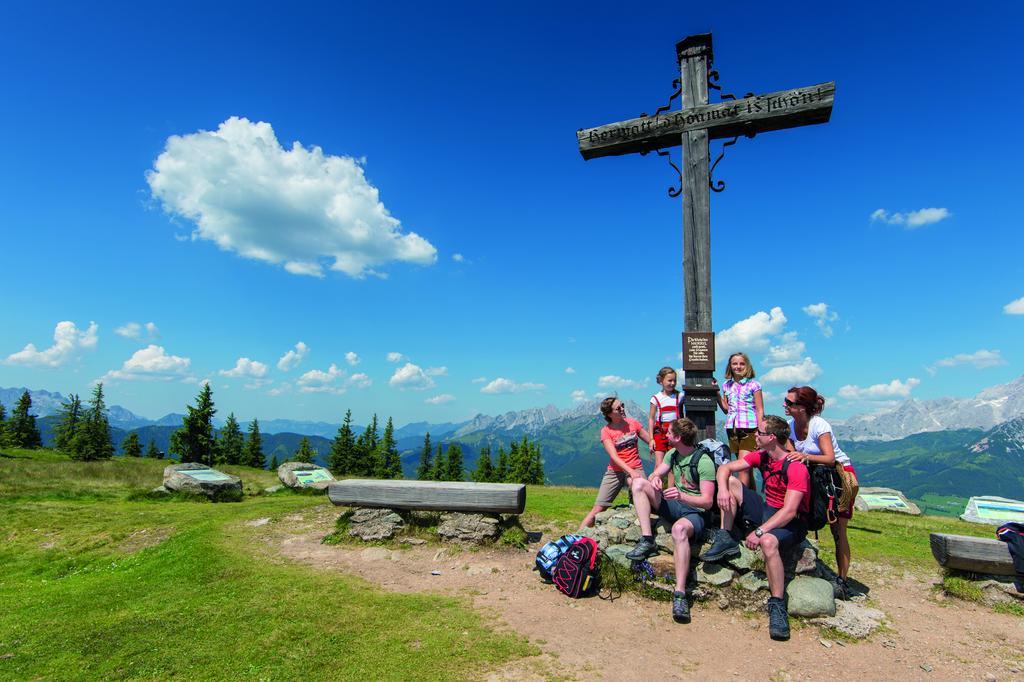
x=685, y=506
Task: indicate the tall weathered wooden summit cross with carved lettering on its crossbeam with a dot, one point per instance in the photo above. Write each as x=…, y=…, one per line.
x=693, y=127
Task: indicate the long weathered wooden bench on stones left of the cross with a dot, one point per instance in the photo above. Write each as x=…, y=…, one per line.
x=431, y=496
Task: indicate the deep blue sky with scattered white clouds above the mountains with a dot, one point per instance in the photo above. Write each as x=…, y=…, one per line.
x=395, y=196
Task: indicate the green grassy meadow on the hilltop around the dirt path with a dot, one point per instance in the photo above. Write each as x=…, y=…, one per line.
x=102, y=580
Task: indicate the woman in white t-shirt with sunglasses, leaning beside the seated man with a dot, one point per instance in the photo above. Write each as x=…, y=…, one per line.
x=816, y=444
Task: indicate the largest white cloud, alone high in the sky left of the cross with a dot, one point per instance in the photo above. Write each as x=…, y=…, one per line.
x=298, y=207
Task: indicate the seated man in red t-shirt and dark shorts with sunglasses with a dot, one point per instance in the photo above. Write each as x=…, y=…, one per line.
x=779, y=520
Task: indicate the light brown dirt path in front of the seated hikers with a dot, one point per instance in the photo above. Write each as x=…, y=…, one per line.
x=633, y=638
